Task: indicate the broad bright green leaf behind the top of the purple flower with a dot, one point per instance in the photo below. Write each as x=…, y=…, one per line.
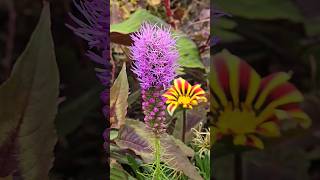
x=120, y=33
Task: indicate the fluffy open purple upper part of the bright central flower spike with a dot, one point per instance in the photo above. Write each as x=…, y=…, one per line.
x=155, y=56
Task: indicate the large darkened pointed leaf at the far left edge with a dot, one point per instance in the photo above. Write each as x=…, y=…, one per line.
x=28, y=105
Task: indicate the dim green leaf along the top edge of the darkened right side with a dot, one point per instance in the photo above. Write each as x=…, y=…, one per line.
x=261, y=9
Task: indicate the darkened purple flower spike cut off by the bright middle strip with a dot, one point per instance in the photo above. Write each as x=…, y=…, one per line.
x=96, y=31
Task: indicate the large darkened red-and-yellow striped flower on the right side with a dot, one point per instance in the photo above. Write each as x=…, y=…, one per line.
x=247, y=106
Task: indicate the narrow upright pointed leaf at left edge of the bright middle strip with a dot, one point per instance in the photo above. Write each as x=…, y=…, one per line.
x=119, y=93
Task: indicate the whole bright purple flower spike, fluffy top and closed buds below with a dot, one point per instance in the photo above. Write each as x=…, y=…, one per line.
x=155, y=61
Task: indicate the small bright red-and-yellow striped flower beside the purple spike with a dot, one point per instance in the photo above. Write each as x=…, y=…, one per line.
x=182, y=93
